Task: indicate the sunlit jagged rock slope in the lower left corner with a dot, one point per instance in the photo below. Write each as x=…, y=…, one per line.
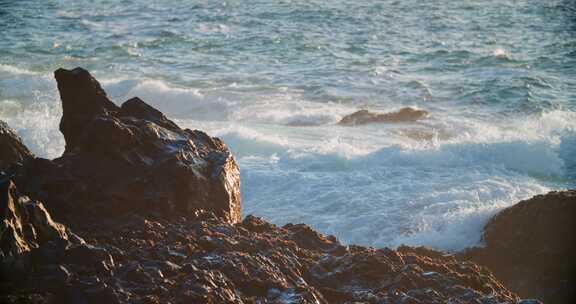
x=40, y=257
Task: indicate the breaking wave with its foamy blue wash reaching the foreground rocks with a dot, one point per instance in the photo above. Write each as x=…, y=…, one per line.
x=403, y=194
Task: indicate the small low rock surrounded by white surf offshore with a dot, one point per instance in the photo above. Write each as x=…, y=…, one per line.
x=362, y=117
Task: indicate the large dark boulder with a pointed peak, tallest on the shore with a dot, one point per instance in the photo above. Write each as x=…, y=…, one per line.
x=122, y=159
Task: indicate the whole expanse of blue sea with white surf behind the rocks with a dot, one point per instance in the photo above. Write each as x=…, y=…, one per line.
x=272, y=79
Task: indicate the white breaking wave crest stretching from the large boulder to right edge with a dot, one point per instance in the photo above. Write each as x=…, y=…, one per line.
x=518, y=144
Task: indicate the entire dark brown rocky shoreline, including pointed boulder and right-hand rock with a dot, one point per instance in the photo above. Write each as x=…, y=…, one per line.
x=138, y=210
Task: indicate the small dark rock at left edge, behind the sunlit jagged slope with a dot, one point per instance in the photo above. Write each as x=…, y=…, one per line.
x=12, y=150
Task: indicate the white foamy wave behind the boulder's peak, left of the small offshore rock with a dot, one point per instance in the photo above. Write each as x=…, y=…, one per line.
x=228, y=103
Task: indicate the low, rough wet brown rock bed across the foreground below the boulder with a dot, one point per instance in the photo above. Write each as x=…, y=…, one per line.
x=203, y=259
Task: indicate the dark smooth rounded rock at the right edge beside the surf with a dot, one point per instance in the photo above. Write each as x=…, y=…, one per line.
x=530, y=247
